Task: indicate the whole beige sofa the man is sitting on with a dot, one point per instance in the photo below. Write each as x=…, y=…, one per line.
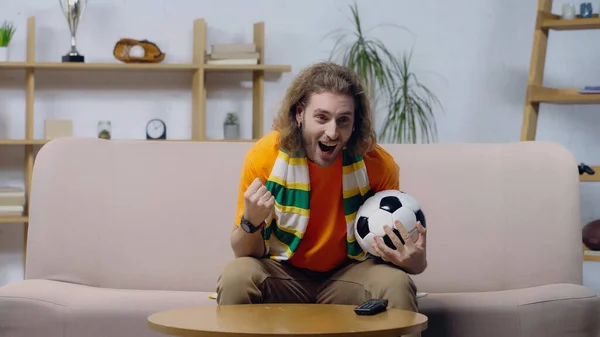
x=122, y=229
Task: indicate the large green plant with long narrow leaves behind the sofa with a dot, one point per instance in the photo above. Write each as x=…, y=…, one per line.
x=407, y=103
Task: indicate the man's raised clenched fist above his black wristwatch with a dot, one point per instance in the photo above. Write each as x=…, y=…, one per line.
x=259, y=202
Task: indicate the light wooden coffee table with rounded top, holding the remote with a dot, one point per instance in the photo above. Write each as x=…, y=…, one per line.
x=250, y=320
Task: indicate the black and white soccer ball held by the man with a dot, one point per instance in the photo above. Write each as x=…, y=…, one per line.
x=383, y=208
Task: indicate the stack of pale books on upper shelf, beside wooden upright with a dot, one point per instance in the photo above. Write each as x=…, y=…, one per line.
x=233, y=53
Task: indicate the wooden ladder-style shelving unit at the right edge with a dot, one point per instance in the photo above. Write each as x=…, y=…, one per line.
x=537, y=93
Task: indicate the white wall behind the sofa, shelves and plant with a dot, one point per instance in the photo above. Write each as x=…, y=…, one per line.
x=473, y=54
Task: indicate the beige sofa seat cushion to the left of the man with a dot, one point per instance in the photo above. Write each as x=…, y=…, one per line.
x=50, y=308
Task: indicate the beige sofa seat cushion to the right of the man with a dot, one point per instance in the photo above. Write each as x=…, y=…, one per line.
x=549, y=310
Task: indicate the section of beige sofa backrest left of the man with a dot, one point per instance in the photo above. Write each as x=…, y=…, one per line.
x=133, y=214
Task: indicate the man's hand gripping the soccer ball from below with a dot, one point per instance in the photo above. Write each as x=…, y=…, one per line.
x=411, y=256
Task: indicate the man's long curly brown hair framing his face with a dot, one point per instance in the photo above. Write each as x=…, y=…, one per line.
x=315, y=79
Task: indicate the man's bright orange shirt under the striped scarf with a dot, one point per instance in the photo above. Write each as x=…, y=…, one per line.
x=323, y=246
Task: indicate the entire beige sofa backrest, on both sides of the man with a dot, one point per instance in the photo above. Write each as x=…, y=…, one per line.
x=157, y=215
